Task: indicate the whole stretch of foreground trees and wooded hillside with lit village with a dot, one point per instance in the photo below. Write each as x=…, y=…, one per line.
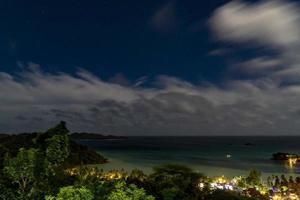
x=43, y=167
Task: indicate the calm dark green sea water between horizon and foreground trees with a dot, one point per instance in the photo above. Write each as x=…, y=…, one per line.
x=204, y=154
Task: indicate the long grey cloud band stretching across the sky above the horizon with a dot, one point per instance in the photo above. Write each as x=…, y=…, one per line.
x=35, y=100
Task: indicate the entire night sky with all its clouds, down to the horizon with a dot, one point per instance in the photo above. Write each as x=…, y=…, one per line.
x=151, y=67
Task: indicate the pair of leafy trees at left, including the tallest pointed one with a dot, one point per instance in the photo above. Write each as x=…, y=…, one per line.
x=31, y=171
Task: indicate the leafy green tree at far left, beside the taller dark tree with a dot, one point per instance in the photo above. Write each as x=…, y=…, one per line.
x=20, y=170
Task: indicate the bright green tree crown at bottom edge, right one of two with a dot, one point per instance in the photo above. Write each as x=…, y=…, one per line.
x=130, y=192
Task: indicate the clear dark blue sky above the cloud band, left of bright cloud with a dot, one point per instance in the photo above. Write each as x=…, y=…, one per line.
x=111, y=36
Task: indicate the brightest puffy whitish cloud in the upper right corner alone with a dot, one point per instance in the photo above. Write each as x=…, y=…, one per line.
x=272, y=23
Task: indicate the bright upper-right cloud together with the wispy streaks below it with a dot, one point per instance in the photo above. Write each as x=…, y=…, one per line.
x=271, y=29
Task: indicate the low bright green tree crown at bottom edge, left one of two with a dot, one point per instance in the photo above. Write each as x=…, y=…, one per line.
x=72, y=193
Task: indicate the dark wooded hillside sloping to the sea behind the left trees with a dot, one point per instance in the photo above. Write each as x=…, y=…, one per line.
x=79, y=154
